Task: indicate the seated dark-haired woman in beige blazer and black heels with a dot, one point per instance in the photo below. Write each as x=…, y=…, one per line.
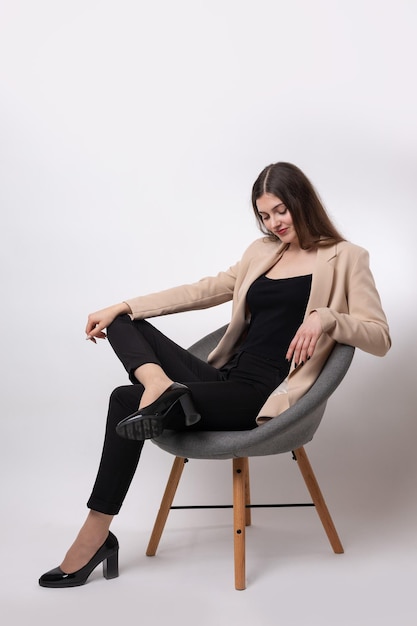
x=296, y=291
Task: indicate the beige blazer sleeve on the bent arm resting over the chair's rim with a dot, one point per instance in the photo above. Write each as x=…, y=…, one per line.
x=364, y=324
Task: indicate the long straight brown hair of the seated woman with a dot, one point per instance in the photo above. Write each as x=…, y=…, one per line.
x=288, y=183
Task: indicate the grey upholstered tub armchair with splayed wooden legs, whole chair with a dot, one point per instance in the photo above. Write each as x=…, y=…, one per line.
x=287, y=433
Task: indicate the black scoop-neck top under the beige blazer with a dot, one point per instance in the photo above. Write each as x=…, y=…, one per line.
x=277, y=308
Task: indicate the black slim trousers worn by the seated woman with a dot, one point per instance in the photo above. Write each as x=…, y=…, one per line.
x=227, y=399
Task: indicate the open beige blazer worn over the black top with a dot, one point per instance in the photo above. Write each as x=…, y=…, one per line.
x=343, y=293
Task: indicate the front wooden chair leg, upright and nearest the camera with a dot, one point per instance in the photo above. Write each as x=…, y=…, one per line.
x=240, y=466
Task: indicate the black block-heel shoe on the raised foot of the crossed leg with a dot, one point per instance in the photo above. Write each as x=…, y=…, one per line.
x=149, y=422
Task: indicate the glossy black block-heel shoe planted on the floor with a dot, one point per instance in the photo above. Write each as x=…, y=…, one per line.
x=108, y=554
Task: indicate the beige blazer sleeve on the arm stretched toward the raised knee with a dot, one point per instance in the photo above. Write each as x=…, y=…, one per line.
x=205, y=293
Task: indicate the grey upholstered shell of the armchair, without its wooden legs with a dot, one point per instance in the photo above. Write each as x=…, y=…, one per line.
x=288, y=431
